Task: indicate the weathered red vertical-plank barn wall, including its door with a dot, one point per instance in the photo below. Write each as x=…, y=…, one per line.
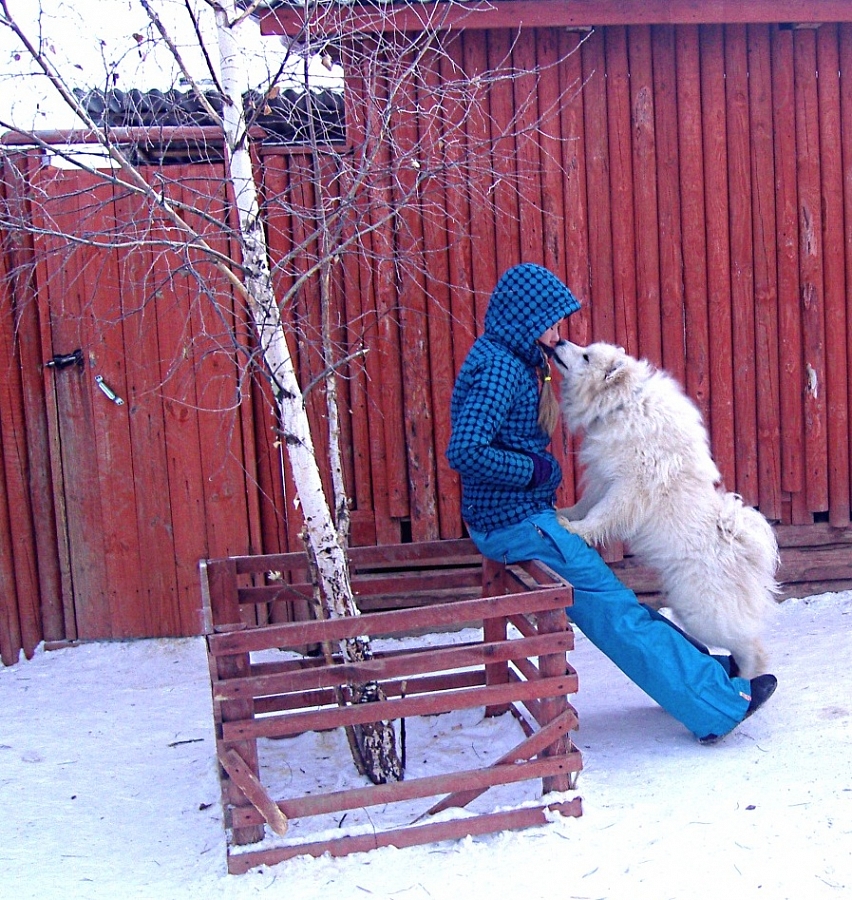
x=689, y=182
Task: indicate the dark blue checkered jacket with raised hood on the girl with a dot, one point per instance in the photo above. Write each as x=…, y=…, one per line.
x=494, y=409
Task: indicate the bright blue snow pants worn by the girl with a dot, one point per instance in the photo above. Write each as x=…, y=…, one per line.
x=690, y=685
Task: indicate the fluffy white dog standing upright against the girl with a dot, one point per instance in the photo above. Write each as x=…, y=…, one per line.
x=649, y=479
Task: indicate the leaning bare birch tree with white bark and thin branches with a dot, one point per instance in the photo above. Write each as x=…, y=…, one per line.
x=385, y=181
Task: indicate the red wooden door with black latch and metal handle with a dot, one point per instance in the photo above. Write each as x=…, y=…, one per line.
x=151, y=448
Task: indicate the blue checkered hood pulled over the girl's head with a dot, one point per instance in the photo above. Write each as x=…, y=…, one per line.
x=527, y=300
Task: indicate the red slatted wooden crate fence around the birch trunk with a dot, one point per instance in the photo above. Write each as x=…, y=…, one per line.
x=522, y=670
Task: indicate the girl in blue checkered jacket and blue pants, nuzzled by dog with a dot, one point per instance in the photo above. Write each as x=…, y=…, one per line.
x=503, y=412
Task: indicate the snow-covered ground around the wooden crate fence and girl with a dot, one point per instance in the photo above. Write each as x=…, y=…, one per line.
x=108, y=789
